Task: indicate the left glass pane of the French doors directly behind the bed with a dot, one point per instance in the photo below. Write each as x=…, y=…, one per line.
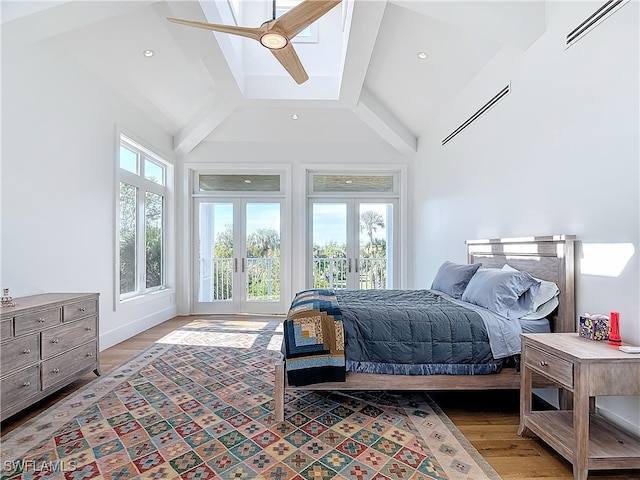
x=329, y=245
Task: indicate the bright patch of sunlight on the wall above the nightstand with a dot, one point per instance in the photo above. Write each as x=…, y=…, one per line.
x=605, y=259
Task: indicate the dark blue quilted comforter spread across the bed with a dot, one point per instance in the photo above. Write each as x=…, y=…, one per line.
x=413, y=332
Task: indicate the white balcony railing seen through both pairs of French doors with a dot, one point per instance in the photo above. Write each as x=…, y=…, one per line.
x=263, y=277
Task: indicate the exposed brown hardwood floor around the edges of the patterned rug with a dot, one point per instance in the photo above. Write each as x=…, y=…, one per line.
x=489, y=420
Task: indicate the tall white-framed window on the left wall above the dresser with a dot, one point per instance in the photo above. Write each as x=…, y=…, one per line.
x=142, y=219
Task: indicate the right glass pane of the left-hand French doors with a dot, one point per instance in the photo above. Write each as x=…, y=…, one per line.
x=262, y=259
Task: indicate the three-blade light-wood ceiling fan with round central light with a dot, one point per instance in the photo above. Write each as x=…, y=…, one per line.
x=276, y=34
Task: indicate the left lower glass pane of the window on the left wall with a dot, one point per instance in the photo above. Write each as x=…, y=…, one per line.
x=128, y=238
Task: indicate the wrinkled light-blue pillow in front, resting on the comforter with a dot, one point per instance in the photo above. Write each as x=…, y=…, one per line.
x=510, y=294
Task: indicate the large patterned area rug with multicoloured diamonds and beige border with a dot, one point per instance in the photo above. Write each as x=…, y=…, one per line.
x=198, y=404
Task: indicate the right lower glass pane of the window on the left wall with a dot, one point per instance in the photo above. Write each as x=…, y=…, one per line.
x=153, y=214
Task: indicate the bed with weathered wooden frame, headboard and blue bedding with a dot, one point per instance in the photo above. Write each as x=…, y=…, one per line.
x=545, y=258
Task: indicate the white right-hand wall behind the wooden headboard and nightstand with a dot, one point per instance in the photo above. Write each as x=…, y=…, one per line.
x=559, y=155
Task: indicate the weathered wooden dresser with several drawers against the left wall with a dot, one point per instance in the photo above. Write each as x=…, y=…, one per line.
x=46, y=342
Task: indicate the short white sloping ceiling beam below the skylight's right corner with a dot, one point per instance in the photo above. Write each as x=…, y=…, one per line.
x=374, y=114
